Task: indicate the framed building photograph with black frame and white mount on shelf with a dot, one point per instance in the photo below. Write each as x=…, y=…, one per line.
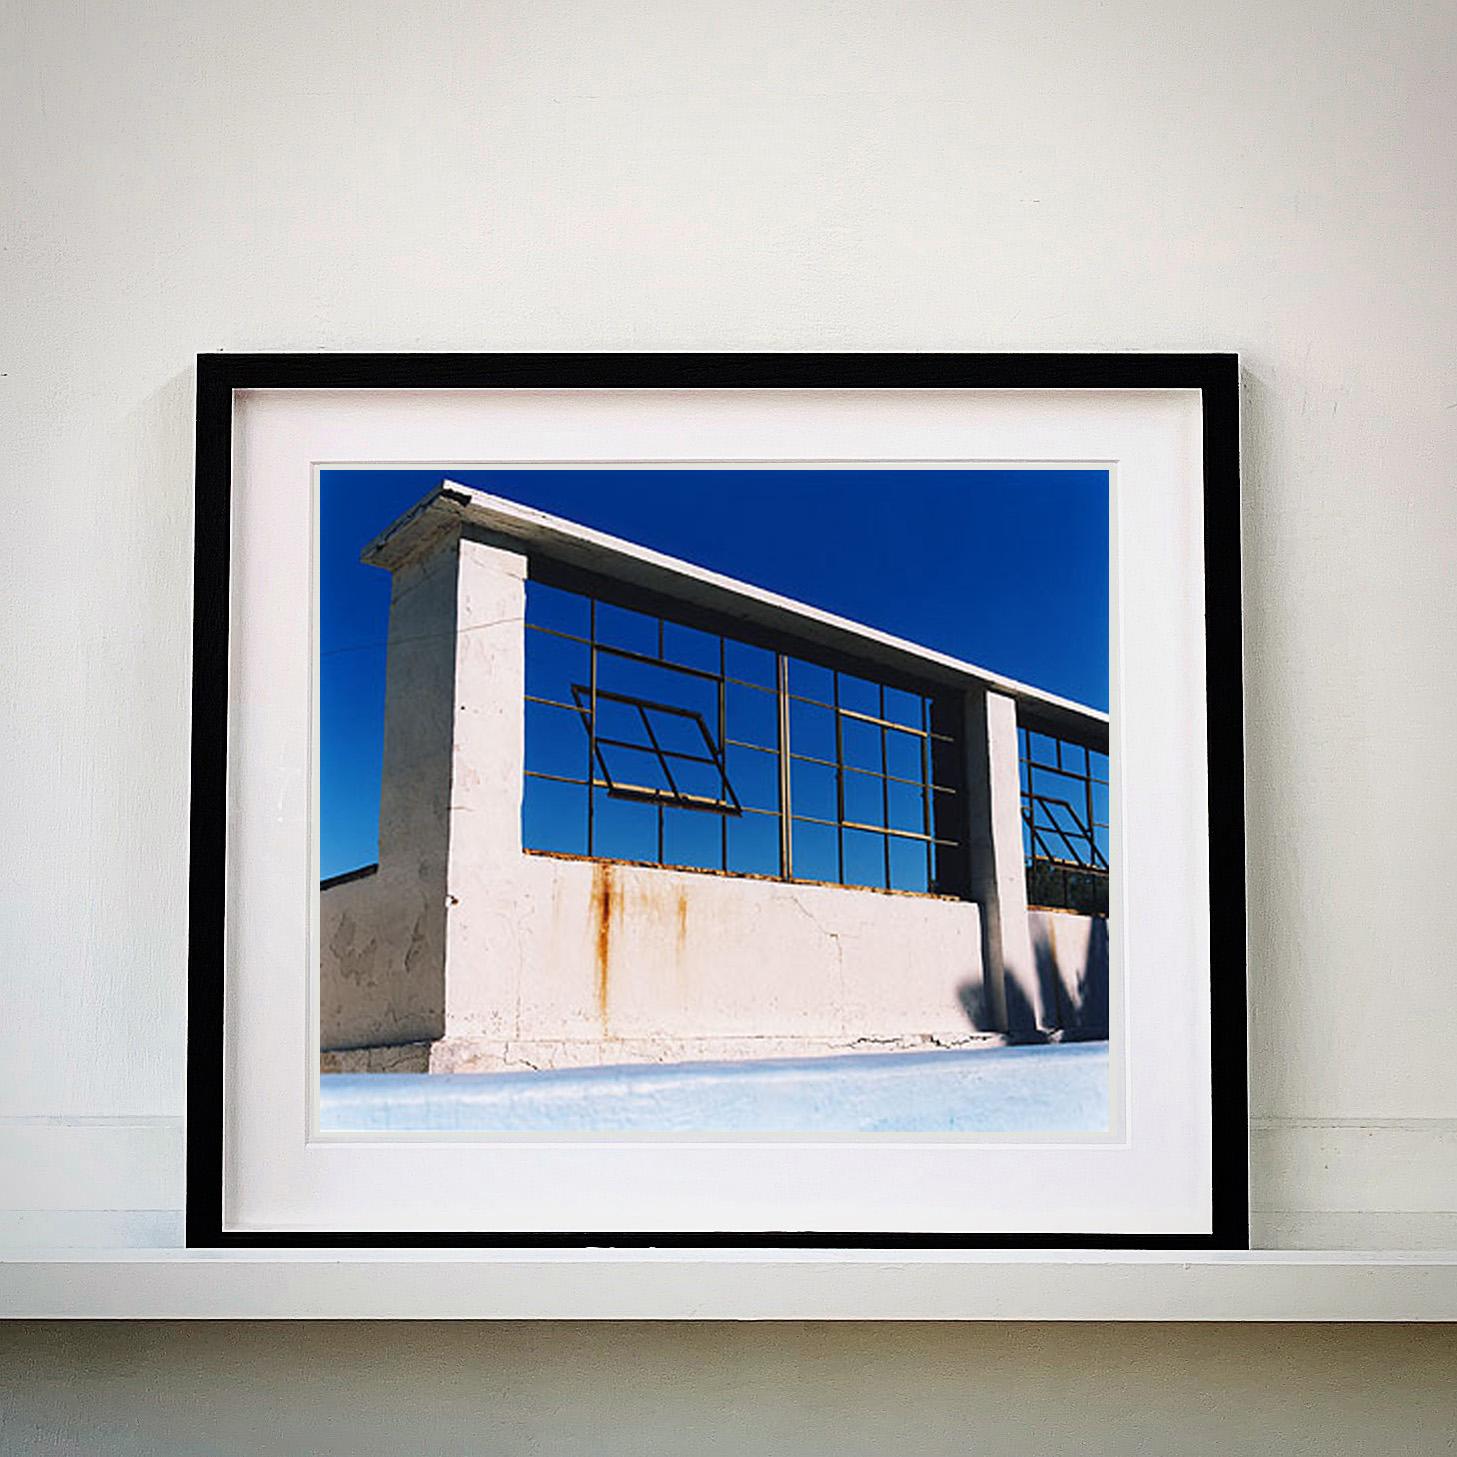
x=718, y=801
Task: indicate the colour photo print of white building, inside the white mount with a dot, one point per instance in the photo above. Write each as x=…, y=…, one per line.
x=715, y=801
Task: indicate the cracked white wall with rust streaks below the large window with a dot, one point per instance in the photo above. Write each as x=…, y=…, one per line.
x=620, y=964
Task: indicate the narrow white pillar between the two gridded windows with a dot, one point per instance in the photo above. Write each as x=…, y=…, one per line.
x=1018, y=1002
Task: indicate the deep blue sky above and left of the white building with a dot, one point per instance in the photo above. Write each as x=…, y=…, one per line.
x=1006, y=569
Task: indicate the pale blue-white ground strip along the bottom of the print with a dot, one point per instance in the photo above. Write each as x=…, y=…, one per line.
x=997, y=1091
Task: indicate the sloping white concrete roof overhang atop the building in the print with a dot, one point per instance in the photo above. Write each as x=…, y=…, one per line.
x=568, y=544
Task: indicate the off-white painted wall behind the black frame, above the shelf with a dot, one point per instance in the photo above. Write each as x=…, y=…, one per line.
x=754, y=174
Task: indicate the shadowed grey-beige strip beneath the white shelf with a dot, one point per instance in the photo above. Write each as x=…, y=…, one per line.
x=780, y=1391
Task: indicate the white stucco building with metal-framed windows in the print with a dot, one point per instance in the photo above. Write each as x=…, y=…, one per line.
x=633, y=811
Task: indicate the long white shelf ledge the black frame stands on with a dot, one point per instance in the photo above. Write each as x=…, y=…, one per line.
x=726, y=1286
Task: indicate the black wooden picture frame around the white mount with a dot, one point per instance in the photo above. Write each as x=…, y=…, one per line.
x=1214, y=377
